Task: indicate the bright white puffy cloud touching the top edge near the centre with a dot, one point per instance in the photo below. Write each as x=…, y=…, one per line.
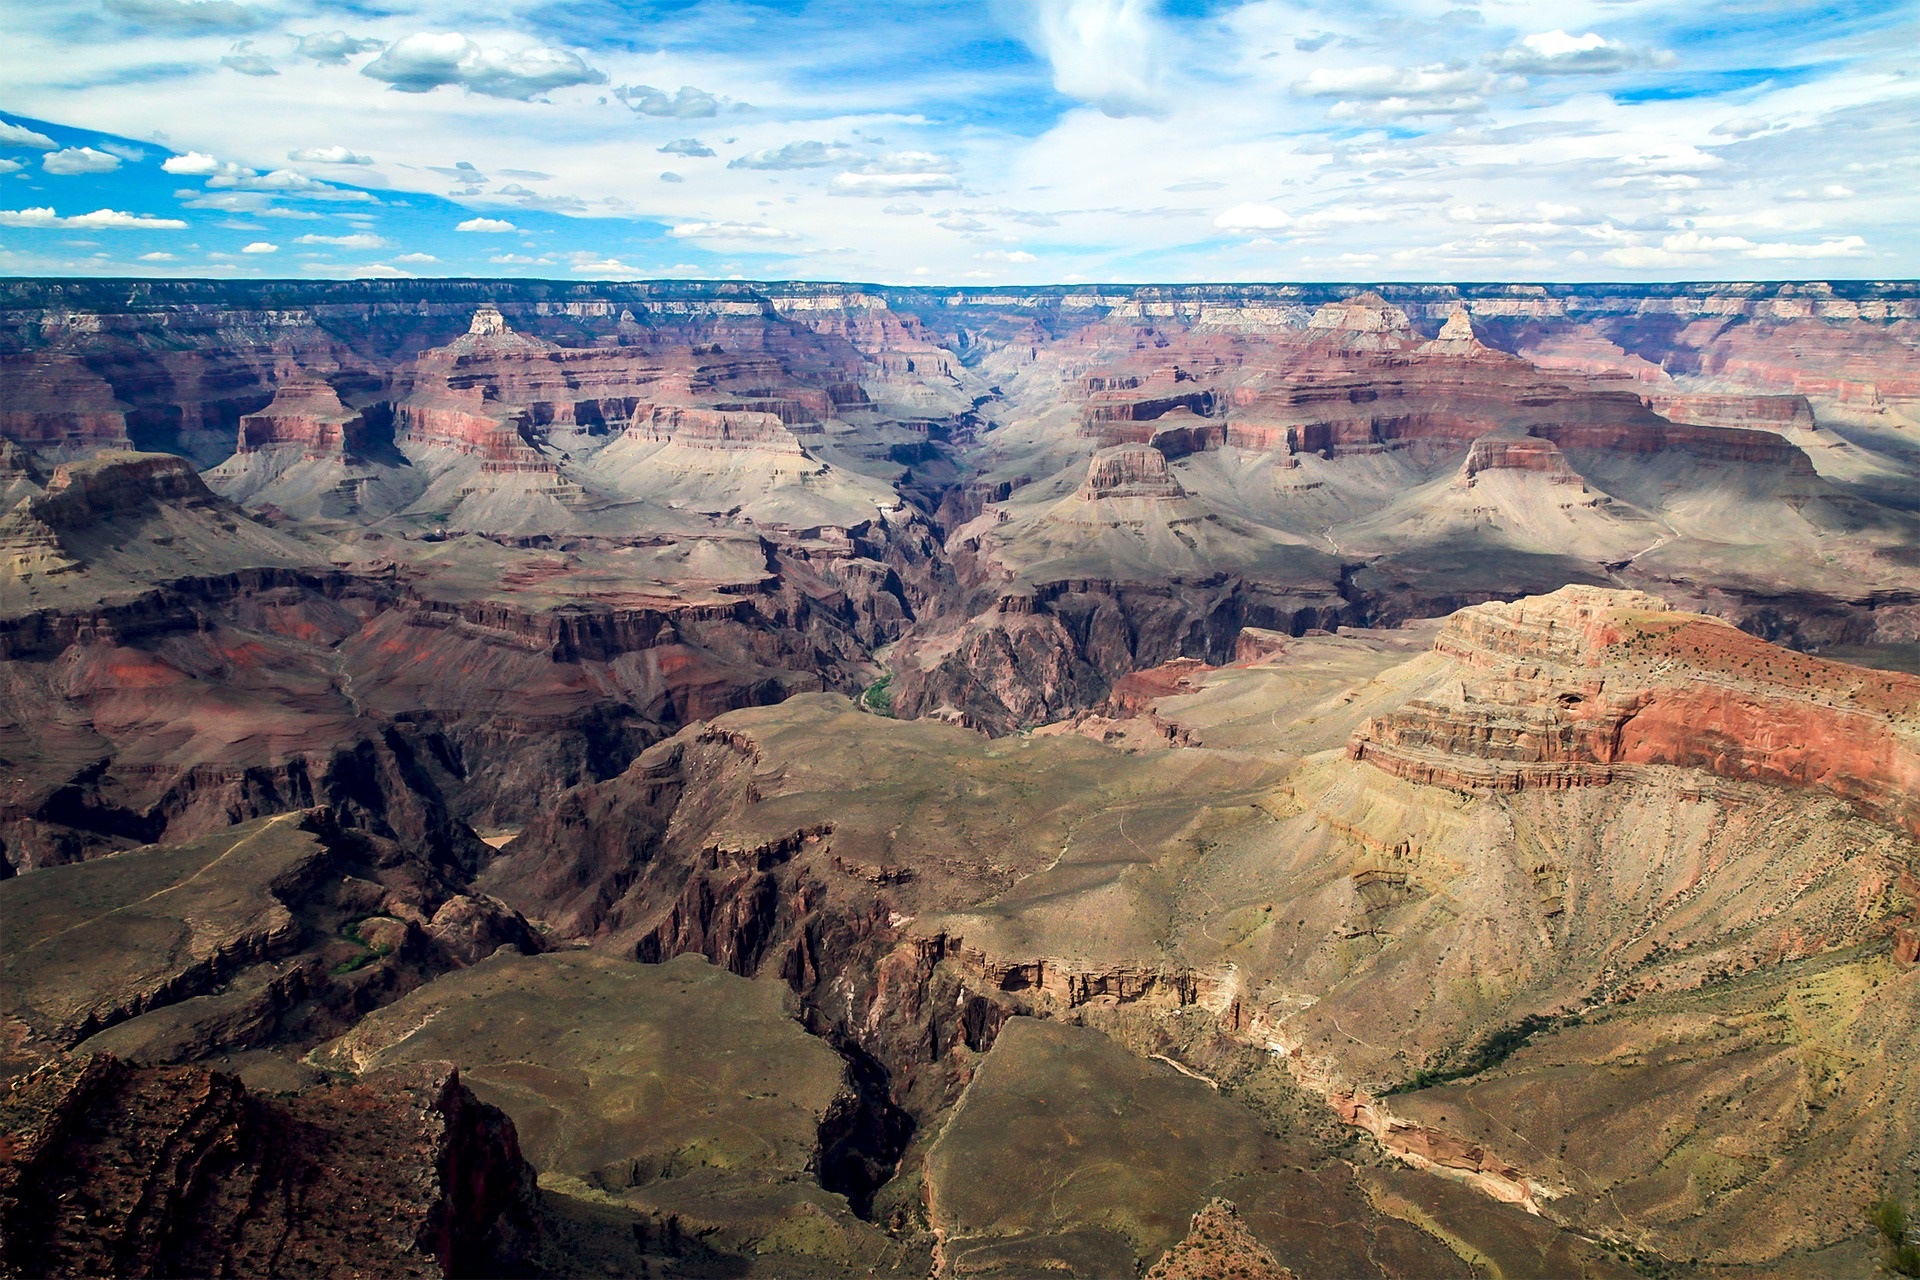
x=1103, y=53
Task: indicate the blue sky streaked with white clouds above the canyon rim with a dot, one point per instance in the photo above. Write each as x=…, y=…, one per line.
x=963, y=141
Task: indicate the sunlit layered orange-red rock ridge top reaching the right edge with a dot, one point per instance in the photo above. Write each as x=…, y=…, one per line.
x=1585, y=684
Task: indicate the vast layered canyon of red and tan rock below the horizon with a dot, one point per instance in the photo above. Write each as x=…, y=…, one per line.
x=804, y=780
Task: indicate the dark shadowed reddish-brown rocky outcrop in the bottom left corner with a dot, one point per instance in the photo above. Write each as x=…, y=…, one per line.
x=178, y=1172
